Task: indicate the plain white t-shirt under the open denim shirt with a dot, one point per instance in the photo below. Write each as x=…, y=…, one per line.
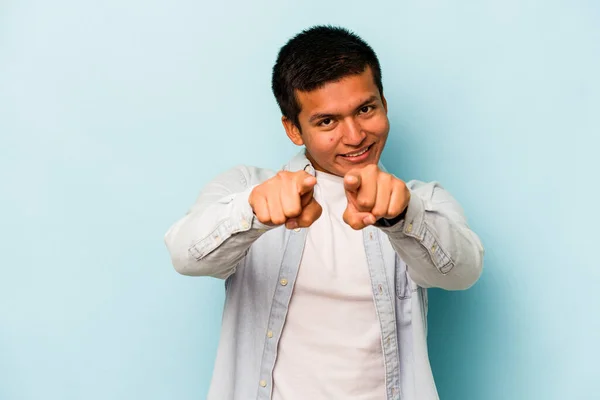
x=330, y=346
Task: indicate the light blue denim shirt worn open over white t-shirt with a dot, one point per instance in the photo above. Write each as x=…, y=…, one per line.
x=220, y=237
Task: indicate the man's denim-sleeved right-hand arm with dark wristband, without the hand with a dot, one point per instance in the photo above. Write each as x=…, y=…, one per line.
x=435, y=241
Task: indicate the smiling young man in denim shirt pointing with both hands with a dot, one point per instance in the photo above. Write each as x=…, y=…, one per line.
x=327, y=261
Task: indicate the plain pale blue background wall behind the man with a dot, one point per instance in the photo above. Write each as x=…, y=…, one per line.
x=114, y=114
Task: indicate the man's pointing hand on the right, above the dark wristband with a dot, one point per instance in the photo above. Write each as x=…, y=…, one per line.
x=373, y=194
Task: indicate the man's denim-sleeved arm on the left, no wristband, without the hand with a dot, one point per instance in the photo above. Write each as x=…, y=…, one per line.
x=216, y=233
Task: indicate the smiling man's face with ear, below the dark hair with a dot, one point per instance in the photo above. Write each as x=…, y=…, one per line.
x=344, y=124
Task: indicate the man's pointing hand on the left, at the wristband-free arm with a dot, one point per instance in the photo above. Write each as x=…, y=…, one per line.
x=286, y=198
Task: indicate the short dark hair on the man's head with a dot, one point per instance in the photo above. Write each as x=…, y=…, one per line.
x=316, y=56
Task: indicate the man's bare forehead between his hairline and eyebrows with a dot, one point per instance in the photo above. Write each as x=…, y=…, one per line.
x=339, y=96
